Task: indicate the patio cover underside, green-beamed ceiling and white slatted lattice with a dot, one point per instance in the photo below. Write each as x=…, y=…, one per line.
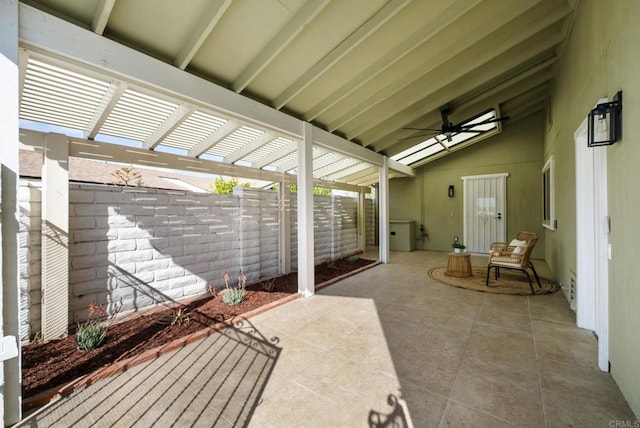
x=362, y=69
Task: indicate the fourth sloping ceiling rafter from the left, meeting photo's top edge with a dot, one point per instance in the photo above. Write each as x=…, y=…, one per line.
x=346, y=46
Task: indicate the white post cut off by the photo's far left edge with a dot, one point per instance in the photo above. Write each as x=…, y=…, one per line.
x=10, y=368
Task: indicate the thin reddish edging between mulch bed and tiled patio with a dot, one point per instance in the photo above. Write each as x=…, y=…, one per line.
x=55, y=393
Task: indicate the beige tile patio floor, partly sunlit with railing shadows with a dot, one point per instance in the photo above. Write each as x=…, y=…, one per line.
x=387, y=345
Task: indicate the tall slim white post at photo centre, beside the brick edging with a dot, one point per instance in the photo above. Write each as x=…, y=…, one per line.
x=306, y=285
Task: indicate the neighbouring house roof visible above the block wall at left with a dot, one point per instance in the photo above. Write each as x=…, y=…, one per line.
x=101, y=172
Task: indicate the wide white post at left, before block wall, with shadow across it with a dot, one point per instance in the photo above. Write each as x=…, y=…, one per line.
x=55, y=238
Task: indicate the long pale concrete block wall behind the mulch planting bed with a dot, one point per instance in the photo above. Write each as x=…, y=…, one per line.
x=132, y=249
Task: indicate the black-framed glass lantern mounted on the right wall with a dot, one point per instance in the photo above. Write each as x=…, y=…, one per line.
x=605, y=123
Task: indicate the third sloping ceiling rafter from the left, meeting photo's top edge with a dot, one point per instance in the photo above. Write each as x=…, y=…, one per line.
x=306, y=14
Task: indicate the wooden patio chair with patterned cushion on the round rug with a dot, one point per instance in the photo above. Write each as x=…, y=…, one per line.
x=514, y=255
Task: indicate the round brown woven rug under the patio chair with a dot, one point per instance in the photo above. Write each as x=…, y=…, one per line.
x=510, y=282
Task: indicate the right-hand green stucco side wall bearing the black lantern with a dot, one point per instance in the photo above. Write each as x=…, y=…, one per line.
x=601, y=57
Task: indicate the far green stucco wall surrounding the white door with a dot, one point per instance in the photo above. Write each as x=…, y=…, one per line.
x=516, y=151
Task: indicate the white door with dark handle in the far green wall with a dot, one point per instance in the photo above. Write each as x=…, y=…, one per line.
x=485, y=213
